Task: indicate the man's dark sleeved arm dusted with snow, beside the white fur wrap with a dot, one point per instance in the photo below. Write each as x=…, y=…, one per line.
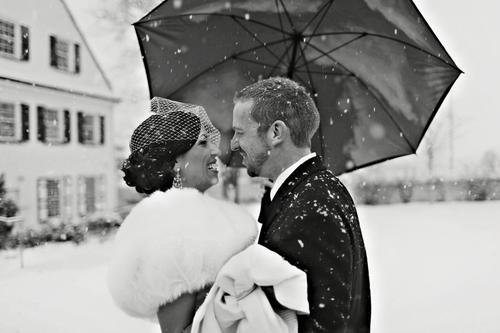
x=314, y=237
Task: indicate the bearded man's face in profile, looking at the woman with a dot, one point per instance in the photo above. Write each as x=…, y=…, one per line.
x=251, y=145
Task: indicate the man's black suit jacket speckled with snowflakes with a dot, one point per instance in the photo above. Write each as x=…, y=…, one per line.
x=313, y=224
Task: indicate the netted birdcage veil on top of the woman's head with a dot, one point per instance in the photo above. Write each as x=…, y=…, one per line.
x=173, y=121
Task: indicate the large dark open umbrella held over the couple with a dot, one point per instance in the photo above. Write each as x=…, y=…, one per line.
x=376, y=70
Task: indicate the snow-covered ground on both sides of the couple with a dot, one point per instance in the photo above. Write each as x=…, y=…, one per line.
x=434, y=268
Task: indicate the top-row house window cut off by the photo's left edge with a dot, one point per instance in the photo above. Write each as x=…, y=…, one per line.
x=14, y=40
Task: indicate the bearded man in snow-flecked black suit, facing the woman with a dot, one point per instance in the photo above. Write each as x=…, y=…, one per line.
x=308, y=216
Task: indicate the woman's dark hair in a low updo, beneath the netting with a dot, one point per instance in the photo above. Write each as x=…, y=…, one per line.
x=151, y=167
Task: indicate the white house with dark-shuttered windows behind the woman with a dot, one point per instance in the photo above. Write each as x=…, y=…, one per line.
x=56, y=115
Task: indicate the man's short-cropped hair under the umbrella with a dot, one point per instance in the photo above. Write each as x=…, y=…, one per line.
x=282, y=99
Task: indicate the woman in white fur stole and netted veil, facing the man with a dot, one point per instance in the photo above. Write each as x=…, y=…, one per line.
x=178, y=242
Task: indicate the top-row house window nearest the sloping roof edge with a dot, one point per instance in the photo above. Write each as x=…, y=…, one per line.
x=64, y=55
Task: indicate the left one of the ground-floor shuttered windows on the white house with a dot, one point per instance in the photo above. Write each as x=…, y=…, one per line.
x=54, y=199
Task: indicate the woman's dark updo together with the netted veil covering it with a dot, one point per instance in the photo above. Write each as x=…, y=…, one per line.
x=156, y=143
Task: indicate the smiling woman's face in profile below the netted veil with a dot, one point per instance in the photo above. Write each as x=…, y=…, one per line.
x=198, y=166
